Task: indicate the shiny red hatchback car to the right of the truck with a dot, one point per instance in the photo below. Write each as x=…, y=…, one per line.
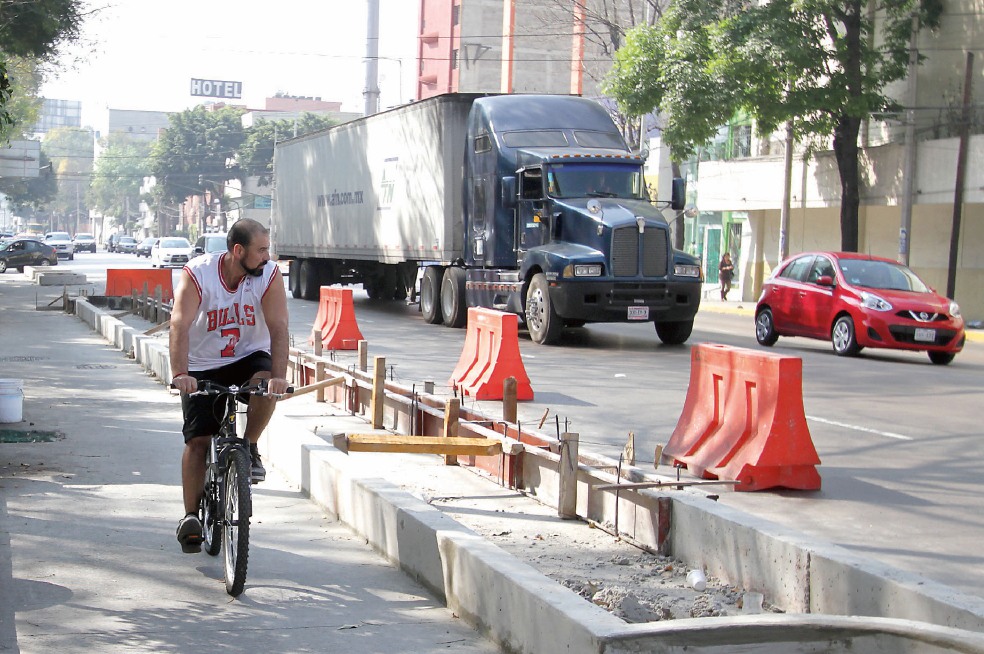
x=857, y=301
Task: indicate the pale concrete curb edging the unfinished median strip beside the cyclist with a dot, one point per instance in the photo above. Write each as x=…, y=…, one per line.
x=525, y=611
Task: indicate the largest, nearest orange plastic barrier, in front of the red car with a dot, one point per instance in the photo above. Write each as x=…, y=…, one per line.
x=743, y=420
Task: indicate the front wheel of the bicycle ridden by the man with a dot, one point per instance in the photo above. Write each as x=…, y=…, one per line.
x=237, y=508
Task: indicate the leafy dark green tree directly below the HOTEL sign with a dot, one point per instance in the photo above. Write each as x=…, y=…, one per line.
x=197, y=153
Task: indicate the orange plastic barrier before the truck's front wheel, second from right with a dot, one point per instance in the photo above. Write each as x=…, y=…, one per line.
x=490, y=356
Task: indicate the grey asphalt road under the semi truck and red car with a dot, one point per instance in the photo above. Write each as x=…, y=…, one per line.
x=899, y=438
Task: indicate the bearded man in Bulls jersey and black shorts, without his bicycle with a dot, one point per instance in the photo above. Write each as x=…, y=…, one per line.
x=228, y=325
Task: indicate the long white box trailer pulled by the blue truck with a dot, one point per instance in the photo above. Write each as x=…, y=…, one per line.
x=368, y=200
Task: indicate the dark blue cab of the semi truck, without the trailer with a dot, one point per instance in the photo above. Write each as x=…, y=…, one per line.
x=559, y=227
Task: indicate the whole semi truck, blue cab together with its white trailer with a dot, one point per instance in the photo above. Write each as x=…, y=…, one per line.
x=531, y=204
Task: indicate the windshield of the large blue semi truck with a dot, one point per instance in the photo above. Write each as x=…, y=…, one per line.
x=578, y=180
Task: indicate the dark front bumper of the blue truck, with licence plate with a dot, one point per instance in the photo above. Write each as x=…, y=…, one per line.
x=626, y=301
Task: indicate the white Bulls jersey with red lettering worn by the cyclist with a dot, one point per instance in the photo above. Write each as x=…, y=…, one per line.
x=230, y=323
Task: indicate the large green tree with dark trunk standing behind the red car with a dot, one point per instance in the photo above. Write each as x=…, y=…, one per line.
x=823, y=64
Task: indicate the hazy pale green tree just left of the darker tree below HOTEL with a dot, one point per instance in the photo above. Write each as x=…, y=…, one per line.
x=118, y=175
